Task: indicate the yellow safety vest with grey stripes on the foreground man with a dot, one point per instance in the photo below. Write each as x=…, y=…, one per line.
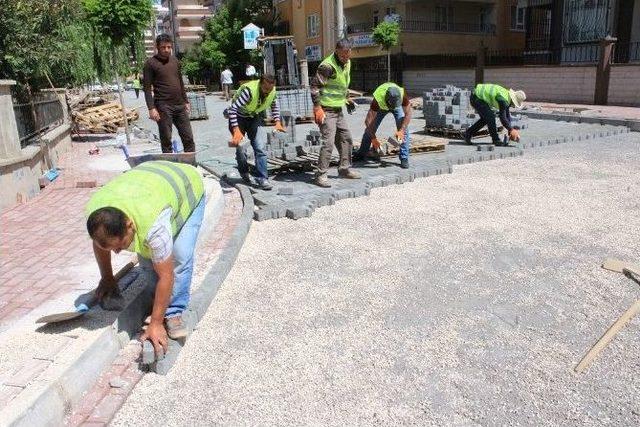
x=143, y=192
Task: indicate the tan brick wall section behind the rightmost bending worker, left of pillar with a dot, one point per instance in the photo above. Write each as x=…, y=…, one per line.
x=554, y=84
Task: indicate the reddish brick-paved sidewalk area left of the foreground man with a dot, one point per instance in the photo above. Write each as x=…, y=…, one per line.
x=45, y=249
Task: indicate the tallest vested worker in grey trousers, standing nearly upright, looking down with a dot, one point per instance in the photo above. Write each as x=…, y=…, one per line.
x=330, y=93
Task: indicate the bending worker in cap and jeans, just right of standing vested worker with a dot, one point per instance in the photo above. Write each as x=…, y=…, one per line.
x=387, y=98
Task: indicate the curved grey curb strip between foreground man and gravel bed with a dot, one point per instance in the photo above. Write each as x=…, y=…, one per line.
x=203, y=296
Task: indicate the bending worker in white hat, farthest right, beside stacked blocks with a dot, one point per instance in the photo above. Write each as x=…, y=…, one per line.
x=487, y=98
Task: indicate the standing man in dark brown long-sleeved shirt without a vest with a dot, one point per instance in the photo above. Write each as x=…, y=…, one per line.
x=165, y=96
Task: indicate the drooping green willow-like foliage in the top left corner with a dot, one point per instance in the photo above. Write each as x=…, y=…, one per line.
x=54, y=39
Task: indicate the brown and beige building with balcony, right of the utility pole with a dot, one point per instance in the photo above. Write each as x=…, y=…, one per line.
x=435, y=26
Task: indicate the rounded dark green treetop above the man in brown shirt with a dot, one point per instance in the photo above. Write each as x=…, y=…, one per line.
x=119, y=20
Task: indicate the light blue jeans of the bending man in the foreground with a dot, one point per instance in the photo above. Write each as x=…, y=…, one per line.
x=183, y=247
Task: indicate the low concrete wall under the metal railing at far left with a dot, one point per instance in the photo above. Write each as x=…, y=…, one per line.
x=19, y=176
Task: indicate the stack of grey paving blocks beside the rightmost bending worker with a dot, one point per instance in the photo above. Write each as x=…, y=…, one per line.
x=449, y=109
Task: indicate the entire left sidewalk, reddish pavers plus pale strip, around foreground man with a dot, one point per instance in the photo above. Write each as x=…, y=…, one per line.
x=47, y=260
